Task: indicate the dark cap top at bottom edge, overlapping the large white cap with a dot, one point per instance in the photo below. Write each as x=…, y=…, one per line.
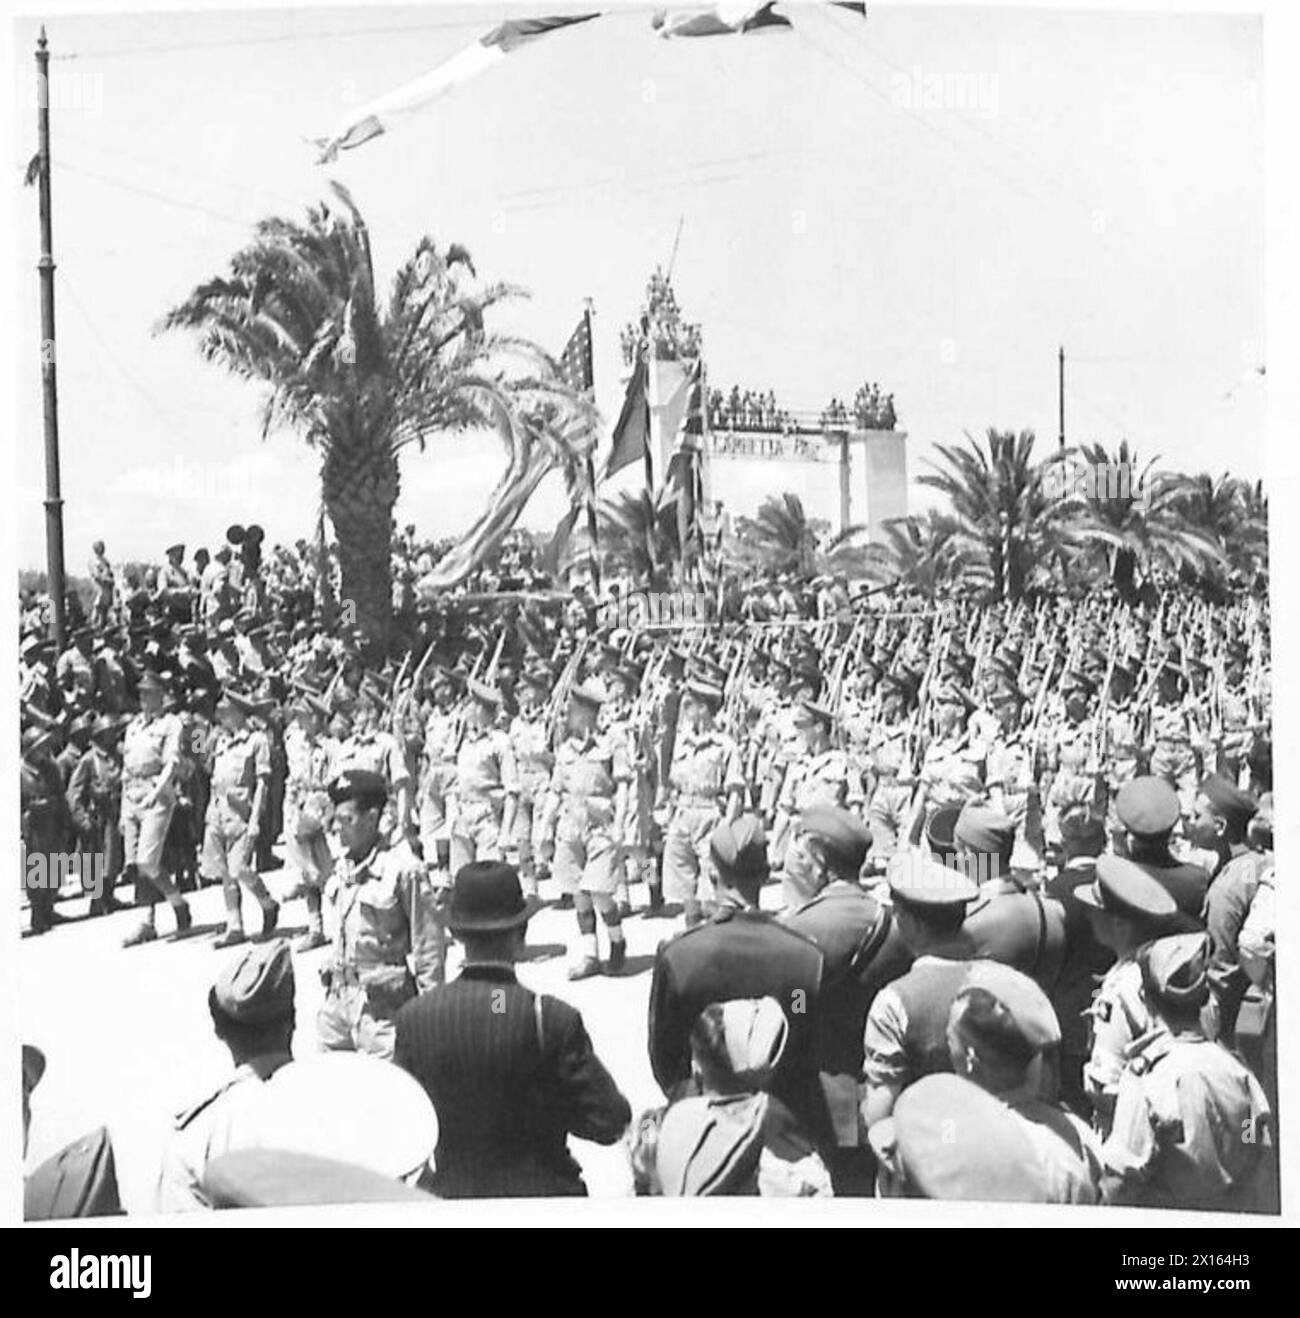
x=276, y=1179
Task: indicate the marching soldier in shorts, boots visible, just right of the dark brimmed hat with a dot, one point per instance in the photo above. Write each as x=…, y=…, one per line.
x=583, y=827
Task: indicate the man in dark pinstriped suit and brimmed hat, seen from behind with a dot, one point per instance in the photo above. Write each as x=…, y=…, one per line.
x=512, y=1075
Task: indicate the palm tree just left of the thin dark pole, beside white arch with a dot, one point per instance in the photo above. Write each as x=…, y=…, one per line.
x=1009, y=509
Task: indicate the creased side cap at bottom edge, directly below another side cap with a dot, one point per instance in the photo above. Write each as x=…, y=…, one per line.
x=710, y=1146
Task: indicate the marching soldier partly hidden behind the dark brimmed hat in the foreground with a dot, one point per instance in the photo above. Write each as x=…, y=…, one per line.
x=487, y=790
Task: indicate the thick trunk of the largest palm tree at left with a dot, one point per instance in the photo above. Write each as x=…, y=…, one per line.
x=361, y=490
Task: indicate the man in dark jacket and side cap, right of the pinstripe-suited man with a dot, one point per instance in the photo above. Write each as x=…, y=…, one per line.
x=742, y=952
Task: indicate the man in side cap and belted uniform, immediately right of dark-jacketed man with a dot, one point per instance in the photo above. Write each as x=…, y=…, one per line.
x=863, y=952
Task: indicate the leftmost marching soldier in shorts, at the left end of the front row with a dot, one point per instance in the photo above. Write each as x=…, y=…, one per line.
x=152, y=755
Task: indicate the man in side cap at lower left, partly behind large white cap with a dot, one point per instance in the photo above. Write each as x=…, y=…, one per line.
x=252, y=1010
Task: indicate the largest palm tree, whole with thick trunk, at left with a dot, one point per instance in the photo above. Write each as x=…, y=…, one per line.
x=363, y=382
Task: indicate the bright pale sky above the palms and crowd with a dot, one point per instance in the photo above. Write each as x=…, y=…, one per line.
x=1088, y=180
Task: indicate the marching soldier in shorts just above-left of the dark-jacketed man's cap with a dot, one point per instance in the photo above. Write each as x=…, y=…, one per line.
x=703, y=790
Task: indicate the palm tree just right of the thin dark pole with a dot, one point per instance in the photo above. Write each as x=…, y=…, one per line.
x=1144, y=517
